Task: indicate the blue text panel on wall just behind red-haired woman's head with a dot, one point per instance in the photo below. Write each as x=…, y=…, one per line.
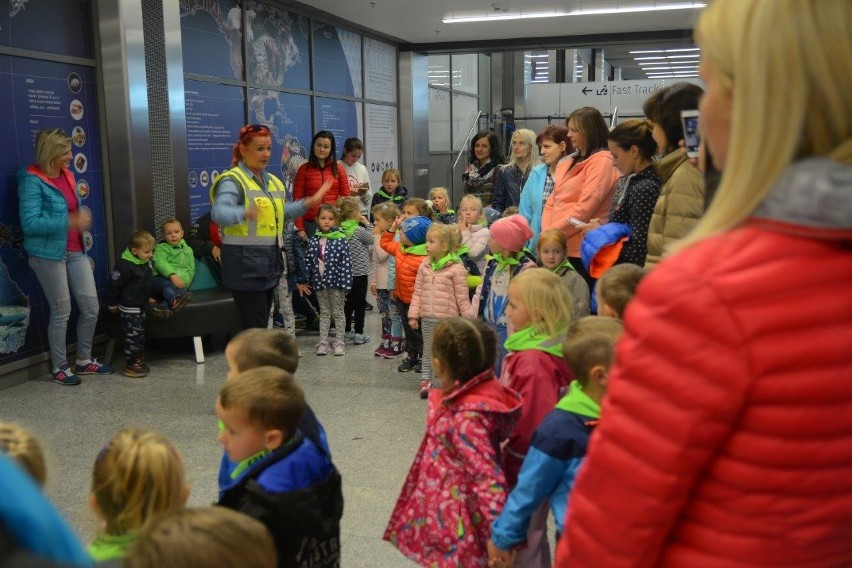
x=214, y=116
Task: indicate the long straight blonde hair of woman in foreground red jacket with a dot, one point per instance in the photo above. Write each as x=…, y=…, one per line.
x=782, y=65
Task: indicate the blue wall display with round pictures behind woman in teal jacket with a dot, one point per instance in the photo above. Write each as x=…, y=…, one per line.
x=44, y=94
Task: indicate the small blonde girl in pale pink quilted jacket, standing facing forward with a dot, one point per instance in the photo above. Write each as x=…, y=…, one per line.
x=440, y=291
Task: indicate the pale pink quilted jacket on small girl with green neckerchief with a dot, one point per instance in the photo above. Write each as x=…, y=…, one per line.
x=441, y=294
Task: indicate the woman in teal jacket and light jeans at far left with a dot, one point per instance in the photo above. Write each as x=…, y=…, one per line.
x=49, y=208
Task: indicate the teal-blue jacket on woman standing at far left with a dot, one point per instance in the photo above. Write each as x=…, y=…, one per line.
x=44, y=213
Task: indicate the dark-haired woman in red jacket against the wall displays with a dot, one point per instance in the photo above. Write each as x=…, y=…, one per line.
x=322, y=167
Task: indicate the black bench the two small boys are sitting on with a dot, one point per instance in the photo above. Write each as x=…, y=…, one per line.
x=212, y=310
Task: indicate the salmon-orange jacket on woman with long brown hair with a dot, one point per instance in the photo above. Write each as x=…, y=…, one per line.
x=584, y=193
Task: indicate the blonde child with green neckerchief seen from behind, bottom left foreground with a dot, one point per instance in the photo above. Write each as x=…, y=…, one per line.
x=137, y=476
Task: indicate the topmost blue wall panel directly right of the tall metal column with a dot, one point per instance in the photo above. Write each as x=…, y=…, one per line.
x=211, y=37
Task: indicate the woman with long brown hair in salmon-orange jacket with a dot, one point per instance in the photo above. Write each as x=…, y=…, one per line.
x=584, y=182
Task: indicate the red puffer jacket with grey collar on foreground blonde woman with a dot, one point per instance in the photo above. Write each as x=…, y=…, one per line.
x=726, y=437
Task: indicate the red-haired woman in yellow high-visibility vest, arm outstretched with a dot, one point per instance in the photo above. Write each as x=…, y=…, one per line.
x=248, y=204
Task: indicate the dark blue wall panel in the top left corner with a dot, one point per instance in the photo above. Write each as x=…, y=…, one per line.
x=61, y=27
